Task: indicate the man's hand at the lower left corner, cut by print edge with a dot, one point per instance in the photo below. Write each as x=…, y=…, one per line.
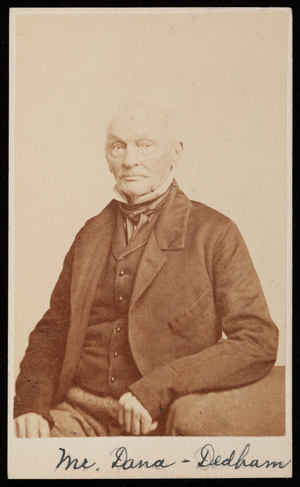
x=31, y=425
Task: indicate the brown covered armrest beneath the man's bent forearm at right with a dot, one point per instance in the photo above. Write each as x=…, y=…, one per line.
x=253, y=410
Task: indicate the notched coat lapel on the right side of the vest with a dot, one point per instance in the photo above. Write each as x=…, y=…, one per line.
x=168, y=234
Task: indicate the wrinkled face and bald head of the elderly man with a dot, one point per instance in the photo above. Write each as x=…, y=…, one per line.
x=140, y=150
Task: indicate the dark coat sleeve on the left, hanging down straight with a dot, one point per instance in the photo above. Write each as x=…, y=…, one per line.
x=40, y=367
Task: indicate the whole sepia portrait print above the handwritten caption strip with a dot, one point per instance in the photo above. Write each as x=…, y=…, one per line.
x=149, y=226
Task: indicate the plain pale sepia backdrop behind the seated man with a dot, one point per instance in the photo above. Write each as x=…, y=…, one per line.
x=225, y=73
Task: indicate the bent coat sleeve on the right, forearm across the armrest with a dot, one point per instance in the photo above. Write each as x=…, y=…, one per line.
x=248, y=352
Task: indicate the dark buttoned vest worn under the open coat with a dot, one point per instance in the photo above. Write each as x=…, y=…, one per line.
x=106, y=366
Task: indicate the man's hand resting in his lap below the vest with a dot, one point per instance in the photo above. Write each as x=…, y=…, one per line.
x=133, y=417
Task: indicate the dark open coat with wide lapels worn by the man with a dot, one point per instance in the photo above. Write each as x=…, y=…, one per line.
x=195, y=280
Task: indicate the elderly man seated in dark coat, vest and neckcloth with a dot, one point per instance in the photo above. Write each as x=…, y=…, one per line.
x=137, y=315
